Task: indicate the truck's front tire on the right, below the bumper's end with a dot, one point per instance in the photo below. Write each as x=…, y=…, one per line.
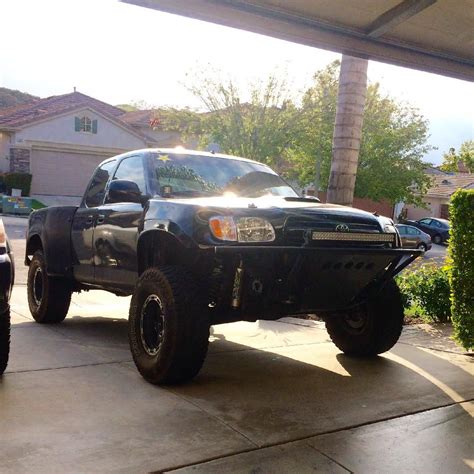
x=382, y=318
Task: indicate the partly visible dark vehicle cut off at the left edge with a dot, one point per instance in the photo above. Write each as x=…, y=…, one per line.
x=7, y=273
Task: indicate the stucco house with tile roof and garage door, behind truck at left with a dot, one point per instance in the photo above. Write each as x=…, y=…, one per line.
x=61, y=139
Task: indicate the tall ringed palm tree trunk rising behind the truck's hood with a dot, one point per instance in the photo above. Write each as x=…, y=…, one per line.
x=347, y=130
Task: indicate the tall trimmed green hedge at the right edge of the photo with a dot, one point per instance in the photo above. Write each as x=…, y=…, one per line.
x=461, y=274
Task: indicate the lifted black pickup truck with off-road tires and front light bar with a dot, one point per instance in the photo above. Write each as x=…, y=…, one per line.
x=198, y=239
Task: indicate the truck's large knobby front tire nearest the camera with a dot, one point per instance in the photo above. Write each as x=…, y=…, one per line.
x=184, y=331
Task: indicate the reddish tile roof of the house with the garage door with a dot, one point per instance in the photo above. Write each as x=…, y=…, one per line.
x=19, y=116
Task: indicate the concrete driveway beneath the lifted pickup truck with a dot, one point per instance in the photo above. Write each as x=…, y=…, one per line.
x=272, y=397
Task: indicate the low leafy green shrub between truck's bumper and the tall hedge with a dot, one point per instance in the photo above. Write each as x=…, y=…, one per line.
x=428, y=289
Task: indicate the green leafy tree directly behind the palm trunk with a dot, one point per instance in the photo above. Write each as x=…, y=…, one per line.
x=394, y=141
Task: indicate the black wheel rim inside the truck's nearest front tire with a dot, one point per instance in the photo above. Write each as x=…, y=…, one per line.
x=152, y=324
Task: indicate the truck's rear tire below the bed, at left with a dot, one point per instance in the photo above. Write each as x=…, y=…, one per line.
x=52, y=305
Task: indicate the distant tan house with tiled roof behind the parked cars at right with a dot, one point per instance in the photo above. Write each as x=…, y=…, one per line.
x=438, y=196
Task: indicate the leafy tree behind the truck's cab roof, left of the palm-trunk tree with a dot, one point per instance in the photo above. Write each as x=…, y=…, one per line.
x=259, y=129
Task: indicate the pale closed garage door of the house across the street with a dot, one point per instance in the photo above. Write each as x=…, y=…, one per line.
x=62, y=173
